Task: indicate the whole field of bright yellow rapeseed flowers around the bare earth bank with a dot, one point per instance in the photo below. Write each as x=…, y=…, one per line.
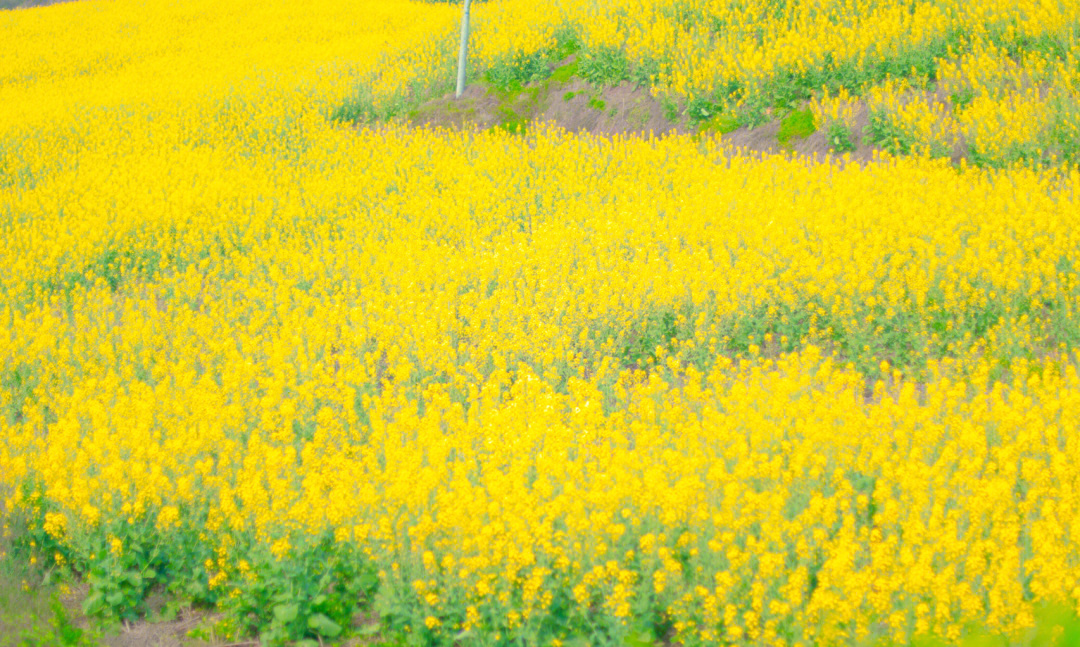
x=531, y=389
